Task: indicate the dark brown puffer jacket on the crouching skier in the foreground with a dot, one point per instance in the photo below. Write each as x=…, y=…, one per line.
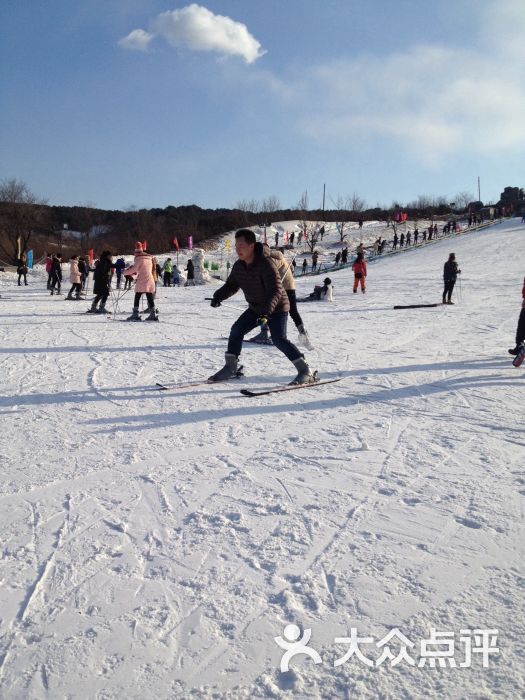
x=260, y=282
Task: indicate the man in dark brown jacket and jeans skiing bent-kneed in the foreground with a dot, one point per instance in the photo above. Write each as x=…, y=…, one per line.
x=256, y=274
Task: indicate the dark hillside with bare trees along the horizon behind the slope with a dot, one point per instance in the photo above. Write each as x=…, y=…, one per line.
x=29, y=222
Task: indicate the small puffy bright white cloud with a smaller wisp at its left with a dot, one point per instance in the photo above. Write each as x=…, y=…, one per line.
x=197, y=29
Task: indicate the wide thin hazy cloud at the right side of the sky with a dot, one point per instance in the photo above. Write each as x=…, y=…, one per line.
x=429, y=101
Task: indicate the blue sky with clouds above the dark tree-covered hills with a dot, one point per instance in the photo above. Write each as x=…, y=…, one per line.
x=148, y=103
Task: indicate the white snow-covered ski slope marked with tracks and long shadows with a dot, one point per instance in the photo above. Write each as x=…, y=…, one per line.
x=153, y=544
